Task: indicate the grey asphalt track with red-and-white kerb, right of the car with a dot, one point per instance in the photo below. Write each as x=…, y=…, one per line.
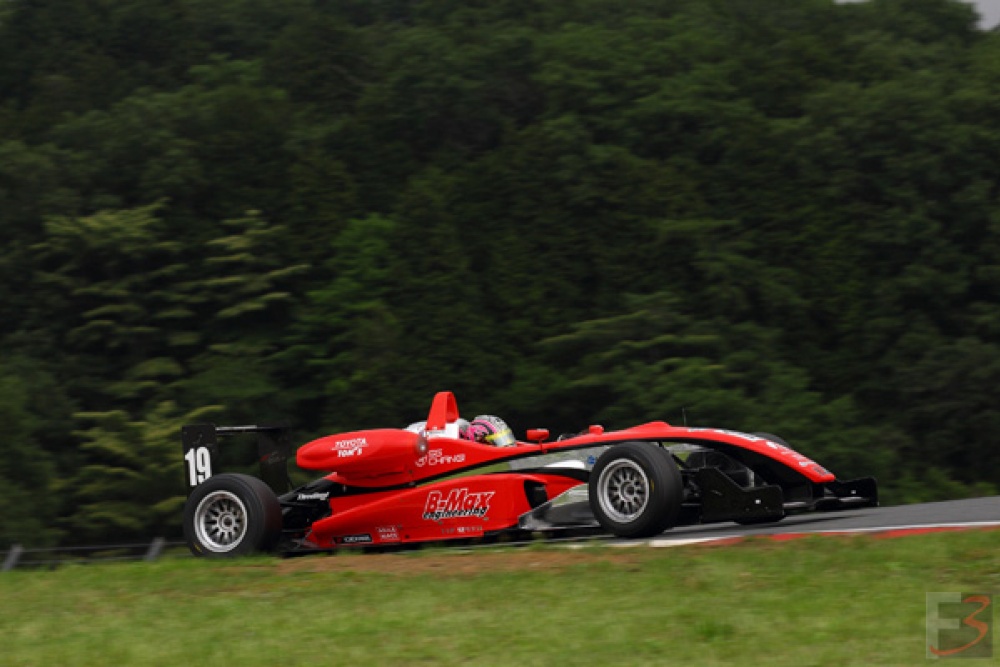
x=926, y=517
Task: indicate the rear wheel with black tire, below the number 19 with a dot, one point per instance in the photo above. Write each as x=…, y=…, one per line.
x=232, y=515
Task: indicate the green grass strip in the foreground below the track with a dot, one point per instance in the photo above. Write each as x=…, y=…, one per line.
x=815, y=601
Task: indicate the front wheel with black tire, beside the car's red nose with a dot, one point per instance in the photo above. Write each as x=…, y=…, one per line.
x=636, y=490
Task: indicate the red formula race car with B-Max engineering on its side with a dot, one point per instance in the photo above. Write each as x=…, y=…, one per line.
x=396, y=486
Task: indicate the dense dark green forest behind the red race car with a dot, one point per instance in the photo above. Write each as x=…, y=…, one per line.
x=763, y=215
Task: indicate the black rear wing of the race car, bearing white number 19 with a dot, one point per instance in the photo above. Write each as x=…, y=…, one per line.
x=202, y=459
